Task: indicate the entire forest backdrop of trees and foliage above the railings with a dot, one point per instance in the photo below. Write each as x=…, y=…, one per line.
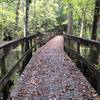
x=19, y=18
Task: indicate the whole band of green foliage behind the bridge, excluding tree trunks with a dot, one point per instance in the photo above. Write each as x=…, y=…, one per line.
x=46, y=15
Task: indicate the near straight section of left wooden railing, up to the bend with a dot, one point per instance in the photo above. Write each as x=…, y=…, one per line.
x=5, y=49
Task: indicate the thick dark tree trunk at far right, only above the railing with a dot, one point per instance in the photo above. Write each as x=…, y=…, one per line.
x=96, y=19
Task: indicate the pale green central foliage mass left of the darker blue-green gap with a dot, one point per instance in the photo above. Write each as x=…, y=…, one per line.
x=42, y=17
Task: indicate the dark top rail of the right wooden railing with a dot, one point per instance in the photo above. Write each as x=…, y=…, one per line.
x=84, y=40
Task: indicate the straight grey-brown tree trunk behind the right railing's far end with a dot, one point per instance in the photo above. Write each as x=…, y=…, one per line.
x=70, y=20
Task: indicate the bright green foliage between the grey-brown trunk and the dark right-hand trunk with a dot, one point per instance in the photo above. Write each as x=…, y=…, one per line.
x=82, y=11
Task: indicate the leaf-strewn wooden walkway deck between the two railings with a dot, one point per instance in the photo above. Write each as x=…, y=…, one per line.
x=51, y=75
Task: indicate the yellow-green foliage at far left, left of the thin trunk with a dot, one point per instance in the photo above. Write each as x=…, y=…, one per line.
x=7, y=19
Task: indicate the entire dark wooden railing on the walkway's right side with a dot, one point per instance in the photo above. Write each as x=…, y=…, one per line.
x=86, y=54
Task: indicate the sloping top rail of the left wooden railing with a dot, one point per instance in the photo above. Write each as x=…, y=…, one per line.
x=16, y=41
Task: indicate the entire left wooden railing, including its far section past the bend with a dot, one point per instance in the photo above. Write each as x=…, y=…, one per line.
x=27, y=45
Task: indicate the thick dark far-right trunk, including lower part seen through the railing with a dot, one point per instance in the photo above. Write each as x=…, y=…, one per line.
x=94, y=54
